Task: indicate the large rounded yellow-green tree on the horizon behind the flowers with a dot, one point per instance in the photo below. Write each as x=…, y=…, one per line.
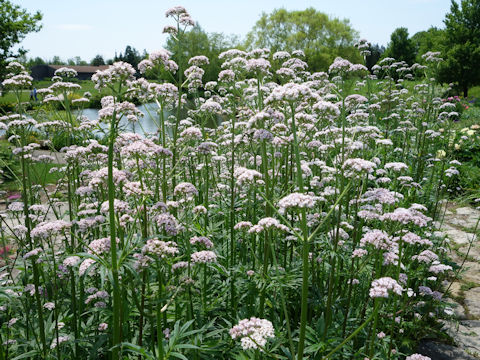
x=319, y=36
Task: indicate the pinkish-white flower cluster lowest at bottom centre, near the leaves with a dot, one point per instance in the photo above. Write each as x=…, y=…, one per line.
x=253, y=332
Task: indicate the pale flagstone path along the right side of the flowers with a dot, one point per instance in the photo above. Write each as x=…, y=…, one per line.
x=461, y=227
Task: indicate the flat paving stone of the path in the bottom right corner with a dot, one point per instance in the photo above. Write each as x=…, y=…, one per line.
x=466, y=334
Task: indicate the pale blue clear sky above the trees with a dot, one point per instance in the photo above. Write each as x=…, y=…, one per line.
x=86, y=28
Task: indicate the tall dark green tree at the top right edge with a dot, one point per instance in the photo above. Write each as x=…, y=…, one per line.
x=462, y=45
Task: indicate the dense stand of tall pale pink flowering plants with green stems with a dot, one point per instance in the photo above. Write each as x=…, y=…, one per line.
x=274, y=214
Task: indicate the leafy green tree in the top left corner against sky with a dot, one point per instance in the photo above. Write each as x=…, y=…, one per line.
x=15, y=24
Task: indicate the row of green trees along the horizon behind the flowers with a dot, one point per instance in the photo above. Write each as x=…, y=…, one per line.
x=321, y=37
